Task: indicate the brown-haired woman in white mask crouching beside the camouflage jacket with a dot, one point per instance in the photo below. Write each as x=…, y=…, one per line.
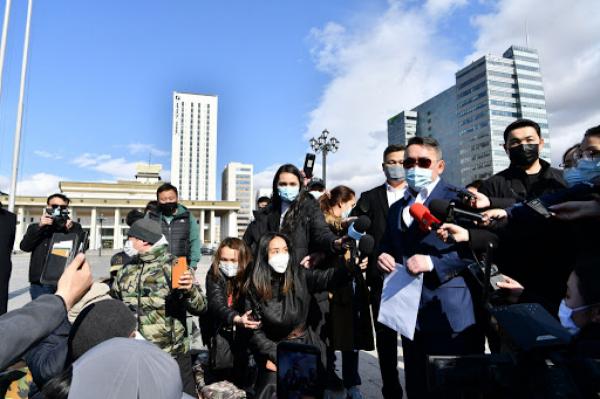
x=228, y=321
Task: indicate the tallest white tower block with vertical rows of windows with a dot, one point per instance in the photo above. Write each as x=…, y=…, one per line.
x=194, y=146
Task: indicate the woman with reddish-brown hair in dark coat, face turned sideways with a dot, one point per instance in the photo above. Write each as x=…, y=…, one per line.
x=348, y=319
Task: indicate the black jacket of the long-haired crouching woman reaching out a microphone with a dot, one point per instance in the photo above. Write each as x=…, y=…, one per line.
x=284, y=313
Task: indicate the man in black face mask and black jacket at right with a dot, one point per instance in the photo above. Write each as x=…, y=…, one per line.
x=536, y=259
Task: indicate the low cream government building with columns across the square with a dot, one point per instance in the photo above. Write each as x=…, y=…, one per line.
x=101, y=209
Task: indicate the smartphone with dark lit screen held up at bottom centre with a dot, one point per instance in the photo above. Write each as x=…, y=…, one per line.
x=298, y=371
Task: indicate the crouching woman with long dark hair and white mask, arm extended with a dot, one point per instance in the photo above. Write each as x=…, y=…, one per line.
x=279, y=293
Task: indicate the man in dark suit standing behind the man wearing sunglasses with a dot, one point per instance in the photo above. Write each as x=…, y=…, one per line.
x=375, y=204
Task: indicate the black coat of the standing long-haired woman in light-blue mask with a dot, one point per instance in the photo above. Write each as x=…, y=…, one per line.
x=311, y=234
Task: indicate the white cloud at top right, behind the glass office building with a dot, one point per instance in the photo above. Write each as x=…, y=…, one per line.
x=567, y=37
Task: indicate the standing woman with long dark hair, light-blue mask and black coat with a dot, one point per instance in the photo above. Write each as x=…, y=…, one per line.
x=295, y=213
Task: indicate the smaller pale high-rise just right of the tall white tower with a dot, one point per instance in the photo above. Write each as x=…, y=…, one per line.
x=237, y=185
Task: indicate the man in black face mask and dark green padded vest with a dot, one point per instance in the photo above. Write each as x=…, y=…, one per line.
x=178, y=225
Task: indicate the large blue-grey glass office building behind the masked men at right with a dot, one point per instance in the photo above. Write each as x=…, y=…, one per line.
x=469, y=118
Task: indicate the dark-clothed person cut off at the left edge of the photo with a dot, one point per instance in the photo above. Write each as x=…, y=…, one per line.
x=8, y=222
